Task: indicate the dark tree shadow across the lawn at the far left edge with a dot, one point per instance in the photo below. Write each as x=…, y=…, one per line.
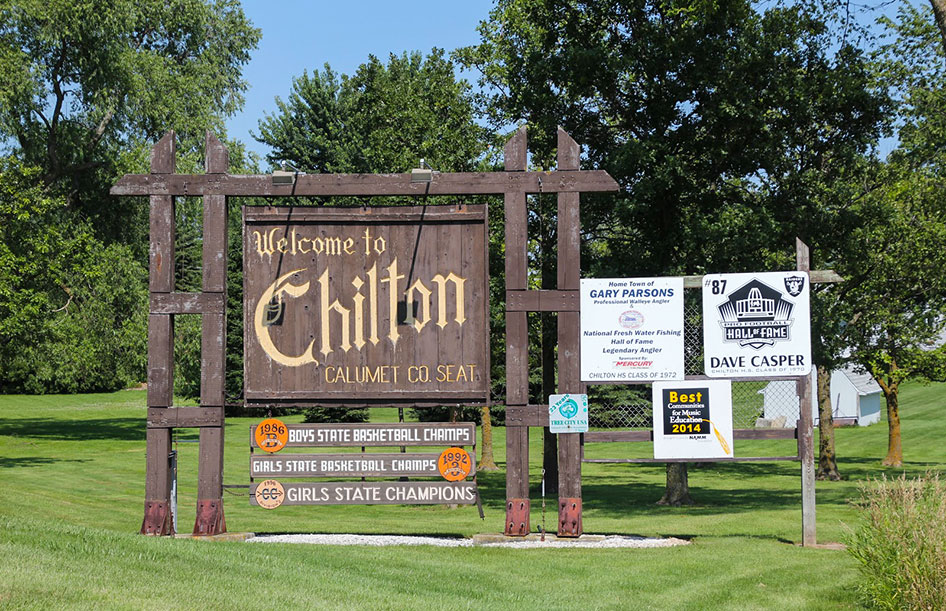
x=120, y=429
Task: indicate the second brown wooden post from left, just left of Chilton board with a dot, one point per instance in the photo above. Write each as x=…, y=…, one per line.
x=210, y=517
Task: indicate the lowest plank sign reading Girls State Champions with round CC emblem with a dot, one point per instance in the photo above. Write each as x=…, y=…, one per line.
x=363, y=493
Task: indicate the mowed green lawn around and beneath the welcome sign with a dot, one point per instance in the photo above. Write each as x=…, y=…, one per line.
x=72, y=472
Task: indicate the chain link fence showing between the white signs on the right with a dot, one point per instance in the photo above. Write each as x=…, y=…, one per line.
x=759, y=403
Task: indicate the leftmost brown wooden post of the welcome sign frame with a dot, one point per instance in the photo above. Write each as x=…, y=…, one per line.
x=157, y=518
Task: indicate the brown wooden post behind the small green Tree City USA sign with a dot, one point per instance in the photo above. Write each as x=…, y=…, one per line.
x=569, y=375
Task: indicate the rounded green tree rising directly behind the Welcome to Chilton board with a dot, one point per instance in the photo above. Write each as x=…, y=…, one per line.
x=384, y=118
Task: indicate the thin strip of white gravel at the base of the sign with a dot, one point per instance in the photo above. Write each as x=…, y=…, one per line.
x=611, y=541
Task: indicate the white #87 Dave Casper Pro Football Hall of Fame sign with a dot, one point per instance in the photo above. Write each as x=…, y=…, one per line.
x=757, y=325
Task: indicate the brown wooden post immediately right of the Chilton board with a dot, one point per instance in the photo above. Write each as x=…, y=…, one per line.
x=517, y=345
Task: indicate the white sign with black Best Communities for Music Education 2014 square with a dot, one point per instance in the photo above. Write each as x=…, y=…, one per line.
x=693, y=419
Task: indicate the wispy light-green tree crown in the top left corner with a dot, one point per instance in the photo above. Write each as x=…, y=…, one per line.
x=81, y=83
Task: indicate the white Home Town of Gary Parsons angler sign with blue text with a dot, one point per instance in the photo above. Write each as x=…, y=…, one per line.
x=631, y=329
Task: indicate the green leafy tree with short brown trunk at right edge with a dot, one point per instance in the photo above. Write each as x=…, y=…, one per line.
x=897, y=293
